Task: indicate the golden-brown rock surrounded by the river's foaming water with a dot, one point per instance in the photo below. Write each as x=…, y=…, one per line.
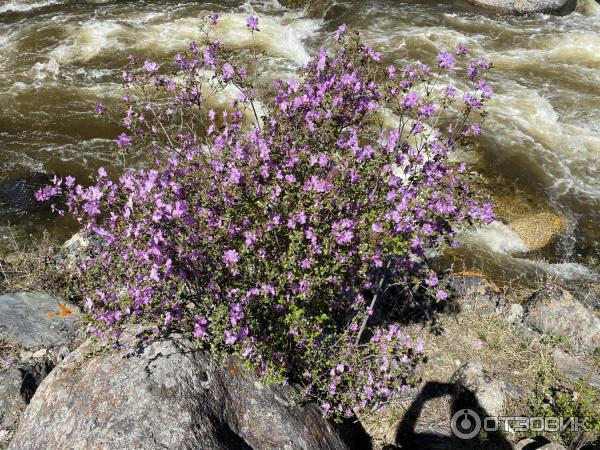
x=538, y=230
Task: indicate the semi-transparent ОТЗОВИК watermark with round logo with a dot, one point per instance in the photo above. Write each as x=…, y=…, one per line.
x=466, y=424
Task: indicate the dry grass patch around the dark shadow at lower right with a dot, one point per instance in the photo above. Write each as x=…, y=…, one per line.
x=456, y=340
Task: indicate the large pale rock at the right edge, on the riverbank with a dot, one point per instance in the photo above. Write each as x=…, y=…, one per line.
x=555, y=312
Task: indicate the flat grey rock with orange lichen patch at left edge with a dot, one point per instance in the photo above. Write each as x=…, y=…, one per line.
x=36, y=320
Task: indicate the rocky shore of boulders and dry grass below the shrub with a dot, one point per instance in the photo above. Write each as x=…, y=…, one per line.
x=484, y=352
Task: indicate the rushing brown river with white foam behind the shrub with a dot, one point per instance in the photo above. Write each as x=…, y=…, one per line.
x=542, y=138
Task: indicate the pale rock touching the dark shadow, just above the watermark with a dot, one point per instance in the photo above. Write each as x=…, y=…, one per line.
x=488, y=392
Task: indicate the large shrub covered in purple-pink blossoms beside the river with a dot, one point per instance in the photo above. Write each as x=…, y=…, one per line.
x=274, y=241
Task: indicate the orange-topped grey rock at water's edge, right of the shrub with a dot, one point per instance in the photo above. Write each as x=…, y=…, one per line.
x=473, y=290
